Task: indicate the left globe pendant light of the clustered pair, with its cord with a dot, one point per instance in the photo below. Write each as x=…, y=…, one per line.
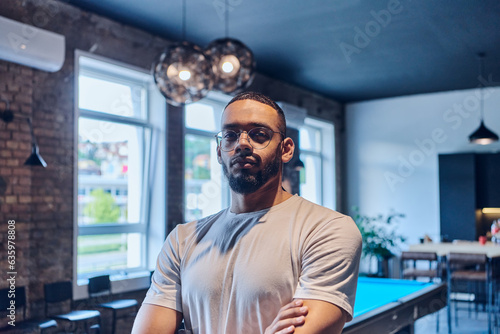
x=183, y=73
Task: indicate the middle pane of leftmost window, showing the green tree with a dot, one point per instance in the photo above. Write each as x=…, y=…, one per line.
x=110, y=157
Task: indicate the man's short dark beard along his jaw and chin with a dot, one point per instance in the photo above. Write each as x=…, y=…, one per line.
x=246, y=182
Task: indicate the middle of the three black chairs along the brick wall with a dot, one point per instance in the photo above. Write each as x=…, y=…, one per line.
x=59, y=295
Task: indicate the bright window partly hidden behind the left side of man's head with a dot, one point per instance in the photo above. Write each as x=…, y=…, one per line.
x=206, y=191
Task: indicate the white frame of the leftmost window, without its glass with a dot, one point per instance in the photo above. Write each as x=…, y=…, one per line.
x=153, y=171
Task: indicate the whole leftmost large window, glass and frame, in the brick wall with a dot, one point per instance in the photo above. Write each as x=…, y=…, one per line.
x=114, y=157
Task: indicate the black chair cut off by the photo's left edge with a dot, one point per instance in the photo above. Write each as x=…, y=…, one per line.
x=22, y=325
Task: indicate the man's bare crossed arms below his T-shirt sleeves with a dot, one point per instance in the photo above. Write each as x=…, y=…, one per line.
x=300, y=316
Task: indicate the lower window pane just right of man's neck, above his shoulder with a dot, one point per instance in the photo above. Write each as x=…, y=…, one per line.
x=310, y=178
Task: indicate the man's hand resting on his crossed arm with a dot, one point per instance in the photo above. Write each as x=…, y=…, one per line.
x=289, y=316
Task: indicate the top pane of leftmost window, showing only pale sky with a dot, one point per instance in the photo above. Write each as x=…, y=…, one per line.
x=111, y=97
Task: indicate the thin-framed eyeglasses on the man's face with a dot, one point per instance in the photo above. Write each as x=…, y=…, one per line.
x=259, y=138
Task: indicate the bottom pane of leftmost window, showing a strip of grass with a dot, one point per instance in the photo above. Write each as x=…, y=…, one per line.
x=104, y=252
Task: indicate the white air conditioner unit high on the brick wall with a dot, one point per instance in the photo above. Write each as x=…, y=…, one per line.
x=31, y=46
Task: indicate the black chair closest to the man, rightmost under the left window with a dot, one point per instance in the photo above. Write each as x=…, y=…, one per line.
x=100, y=287
